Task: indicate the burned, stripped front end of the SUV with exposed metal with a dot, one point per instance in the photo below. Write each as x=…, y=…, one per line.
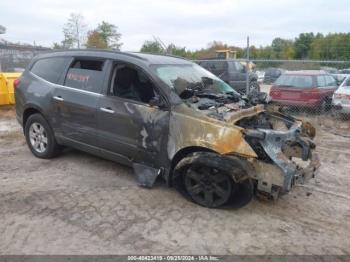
x=285, y=151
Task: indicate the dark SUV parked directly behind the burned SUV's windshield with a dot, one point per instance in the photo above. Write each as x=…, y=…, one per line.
x=232, y=72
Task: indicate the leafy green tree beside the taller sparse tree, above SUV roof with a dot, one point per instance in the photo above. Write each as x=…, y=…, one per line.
x=109, y=33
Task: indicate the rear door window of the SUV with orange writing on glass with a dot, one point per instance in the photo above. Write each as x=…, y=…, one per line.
x=86, y=75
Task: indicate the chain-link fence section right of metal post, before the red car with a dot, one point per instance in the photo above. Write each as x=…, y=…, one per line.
x=315, y=90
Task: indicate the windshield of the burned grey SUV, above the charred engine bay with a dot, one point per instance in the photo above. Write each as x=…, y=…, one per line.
x=181, y=78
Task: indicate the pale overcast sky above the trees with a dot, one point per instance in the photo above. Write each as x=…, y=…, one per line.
x=189, y=23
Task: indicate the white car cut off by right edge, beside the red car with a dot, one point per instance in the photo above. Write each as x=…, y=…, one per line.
x=341, y=97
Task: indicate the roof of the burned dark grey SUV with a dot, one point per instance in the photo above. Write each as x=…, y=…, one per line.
x=102, y=53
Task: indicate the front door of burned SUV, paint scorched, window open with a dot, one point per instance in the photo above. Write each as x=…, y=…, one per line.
x=127, y=124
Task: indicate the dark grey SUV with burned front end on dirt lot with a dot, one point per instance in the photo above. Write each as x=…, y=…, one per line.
x=166, y=117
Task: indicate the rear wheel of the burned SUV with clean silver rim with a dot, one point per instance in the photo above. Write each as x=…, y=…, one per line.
x=45, y=136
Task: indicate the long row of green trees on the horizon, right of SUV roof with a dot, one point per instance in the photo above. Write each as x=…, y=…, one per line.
x=334, y=46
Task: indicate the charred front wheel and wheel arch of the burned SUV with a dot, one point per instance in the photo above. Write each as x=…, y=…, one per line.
x=207, y=179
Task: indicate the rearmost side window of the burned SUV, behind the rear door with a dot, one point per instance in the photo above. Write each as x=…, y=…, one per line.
x=50, y=69
